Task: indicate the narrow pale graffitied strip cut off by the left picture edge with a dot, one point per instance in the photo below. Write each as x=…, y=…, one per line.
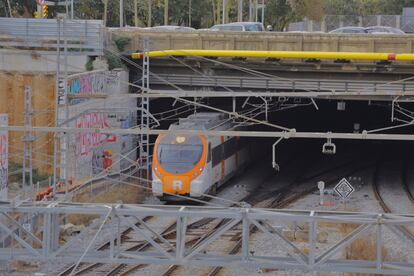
x=3, y=158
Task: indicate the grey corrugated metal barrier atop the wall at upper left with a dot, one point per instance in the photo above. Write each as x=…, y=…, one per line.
x=83, y=36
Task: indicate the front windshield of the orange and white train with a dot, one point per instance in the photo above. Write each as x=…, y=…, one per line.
x=179, y=157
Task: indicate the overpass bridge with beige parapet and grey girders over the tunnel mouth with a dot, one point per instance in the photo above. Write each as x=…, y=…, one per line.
x=276, y=74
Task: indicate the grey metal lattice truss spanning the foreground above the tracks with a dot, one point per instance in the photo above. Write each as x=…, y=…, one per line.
x=310, y=255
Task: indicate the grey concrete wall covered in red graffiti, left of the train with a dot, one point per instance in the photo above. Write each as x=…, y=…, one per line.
x=91, y=153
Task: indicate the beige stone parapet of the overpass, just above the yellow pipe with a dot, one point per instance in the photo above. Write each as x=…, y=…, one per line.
x=264, y=41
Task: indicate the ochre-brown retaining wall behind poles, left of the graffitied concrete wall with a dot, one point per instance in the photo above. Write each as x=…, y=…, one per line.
x=12, y=103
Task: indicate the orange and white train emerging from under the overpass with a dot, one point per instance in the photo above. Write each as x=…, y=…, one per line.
x=194, y=165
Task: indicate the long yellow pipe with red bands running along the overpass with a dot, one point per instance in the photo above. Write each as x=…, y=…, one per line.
x=278, y=54
